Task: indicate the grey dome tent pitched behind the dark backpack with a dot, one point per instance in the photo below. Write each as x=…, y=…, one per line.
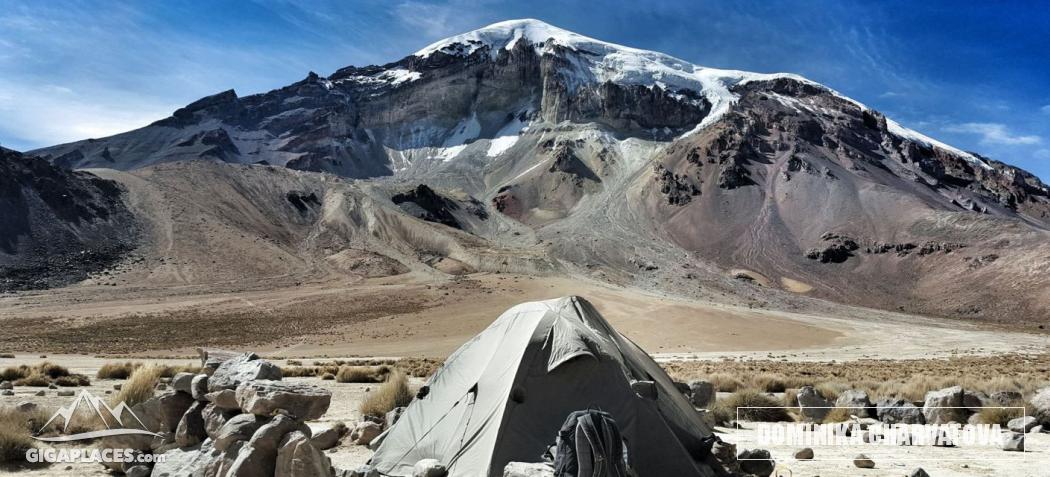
x=505, y=395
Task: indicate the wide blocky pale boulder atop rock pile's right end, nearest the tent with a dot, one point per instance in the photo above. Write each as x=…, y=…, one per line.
x=266, y=398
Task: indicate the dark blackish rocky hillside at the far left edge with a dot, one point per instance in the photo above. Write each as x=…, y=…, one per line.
x=58, y=227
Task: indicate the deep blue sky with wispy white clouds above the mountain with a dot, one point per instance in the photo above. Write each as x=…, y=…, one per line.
x=974, y=75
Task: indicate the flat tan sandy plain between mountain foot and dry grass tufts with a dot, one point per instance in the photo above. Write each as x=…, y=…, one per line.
x=443, y=316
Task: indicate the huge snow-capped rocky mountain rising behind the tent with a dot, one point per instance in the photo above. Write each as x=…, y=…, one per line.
x=547, y=152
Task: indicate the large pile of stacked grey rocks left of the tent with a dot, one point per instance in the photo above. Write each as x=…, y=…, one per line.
x=238, y=420
